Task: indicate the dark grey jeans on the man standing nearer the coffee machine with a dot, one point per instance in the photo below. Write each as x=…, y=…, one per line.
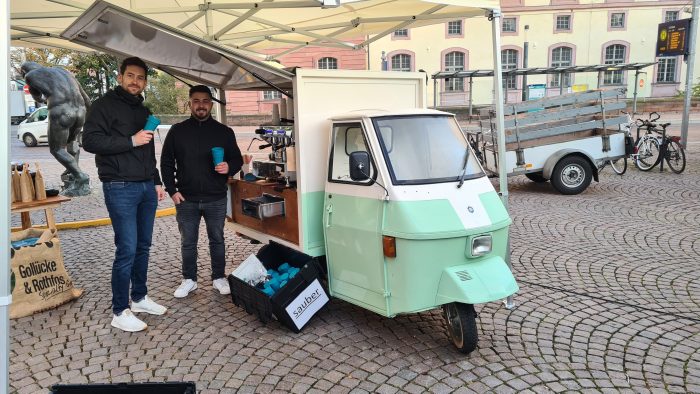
x=189, y=214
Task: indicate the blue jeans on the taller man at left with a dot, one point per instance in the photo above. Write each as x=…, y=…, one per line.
x=132, y=208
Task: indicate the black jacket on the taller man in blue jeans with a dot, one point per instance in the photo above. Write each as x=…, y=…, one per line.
x=109, y=125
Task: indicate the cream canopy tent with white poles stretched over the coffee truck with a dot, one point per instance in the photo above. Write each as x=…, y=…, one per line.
x=221, y=44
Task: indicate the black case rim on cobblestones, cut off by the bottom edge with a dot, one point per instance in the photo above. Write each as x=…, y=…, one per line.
x=125, y=388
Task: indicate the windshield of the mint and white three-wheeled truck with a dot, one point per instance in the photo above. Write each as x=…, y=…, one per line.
x=421, y=149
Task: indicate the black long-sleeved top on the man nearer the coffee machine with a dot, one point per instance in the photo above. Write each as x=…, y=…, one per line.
x=187, y=164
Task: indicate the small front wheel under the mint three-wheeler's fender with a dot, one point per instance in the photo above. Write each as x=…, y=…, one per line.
x=461, y=326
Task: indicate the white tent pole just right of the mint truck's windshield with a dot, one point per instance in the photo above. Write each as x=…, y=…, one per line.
x=500, y=126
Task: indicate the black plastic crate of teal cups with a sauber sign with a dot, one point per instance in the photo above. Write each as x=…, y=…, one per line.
x=256, y=302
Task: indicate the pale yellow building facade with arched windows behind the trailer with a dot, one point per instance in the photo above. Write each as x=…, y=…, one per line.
x=557, y=33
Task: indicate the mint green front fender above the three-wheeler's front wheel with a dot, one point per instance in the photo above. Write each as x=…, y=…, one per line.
x=476, y=282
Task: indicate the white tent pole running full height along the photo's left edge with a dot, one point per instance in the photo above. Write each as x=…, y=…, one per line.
x=5, y=294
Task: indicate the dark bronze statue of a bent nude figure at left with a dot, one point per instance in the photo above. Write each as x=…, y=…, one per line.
x=67, y=104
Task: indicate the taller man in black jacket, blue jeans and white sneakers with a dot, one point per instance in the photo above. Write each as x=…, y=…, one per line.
x=126, y=164
